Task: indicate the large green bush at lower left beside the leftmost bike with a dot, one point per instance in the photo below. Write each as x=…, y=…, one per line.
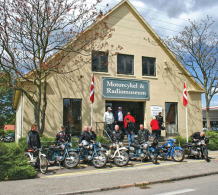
x=13, y=164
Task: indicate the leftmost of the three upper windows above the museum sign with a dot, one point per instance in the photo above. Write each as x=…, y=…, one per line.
x=99, y=61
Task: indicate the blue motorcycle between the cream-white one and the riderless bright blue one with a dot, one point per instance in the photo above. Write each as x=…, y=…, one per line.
x=145, y=150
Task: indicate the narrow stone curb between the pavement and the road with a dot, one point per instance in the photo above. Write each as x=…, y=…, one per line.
x=140, y=184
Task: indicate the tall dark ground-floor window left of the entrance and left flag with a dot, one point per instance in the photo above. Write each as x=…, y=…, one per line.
x=72, y=116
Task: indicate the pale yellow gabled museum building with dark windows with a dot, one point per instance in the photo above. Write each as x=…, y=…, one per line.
x=140, y=74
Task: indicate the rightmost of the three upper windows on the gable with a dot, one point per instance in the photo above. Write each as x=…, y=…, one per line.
x=148, y=66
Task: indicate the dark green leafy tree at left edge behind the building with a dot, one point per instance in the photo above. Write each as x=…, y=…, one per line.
x=7, y=114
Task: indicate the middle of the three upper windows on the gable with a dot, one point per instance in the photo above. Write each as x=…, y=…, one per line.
x=125, y=64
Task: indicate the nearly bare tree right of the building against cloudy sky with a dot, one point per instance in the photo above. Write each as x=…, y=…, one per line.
x=196, y=47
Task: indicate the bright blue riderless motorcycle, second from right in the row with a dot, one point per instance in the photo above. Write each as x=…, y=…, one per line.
x=169, y=149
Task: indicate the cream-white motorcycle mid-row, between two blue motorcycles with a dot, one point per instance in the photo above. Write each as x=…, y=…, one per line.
x=117, y=153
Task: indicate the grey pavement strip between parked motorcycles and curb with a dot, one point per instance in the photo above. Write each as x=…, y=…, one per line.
x=87, y=179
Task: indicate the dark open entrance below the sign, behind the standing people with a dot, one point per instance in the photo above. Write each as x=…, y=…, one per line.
x=135, y=108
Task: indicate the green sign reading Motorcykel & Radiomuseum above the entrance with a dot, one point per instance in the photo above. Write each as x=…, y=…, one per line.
x=125, y=88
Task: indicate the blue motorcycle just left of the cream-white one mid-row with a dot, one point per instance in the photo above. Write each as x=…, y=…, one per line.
x=92, y=152
